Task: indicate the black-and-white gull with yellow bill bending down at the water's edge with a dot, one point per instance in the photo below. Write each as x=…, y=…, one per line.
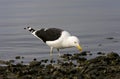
x=56, y=38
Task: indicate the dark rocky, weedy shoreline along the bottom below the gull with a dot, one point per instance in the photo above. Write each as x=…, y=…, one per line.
x=67, y=67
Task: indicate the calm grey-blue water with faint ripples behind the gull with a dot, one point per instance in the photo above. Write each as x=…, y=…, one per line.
x=91, y=20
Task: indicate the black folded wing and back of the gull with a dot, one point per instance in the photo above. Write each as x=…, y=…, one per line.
x=50, y=34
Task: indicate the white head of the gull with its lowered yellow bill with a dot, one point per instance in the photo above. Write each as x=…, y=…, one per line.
x=75, y=42
